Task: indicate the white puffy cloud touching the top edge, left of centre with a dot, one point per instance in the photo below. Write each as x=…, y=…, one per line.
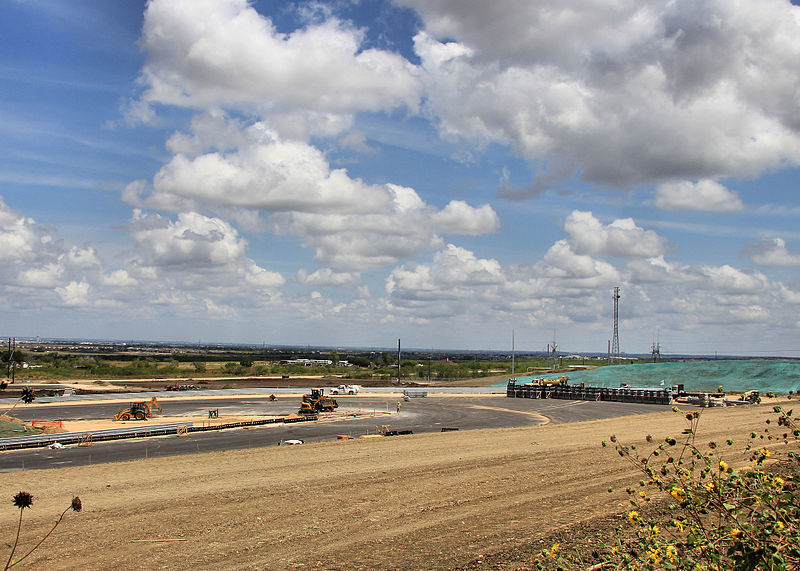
x=223, y=53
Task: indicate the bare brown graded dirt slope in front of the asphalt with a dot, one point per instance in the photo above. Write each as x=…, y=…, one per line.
x=490, y=499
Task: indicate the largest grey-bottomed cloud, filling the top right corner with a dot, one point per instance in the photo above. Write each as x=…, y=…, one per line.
x=618, y=93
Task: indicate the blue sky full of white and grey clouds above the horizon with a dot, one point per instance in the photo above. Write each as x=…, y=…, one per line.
x=348, y=173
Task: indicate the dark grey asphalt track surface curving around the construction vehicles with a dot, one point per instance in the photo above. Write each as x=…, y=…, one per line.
x=429, y=414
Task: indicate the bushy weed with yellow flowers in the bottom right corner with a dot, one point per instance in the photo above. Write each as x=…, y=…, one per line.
x=717, y=517
